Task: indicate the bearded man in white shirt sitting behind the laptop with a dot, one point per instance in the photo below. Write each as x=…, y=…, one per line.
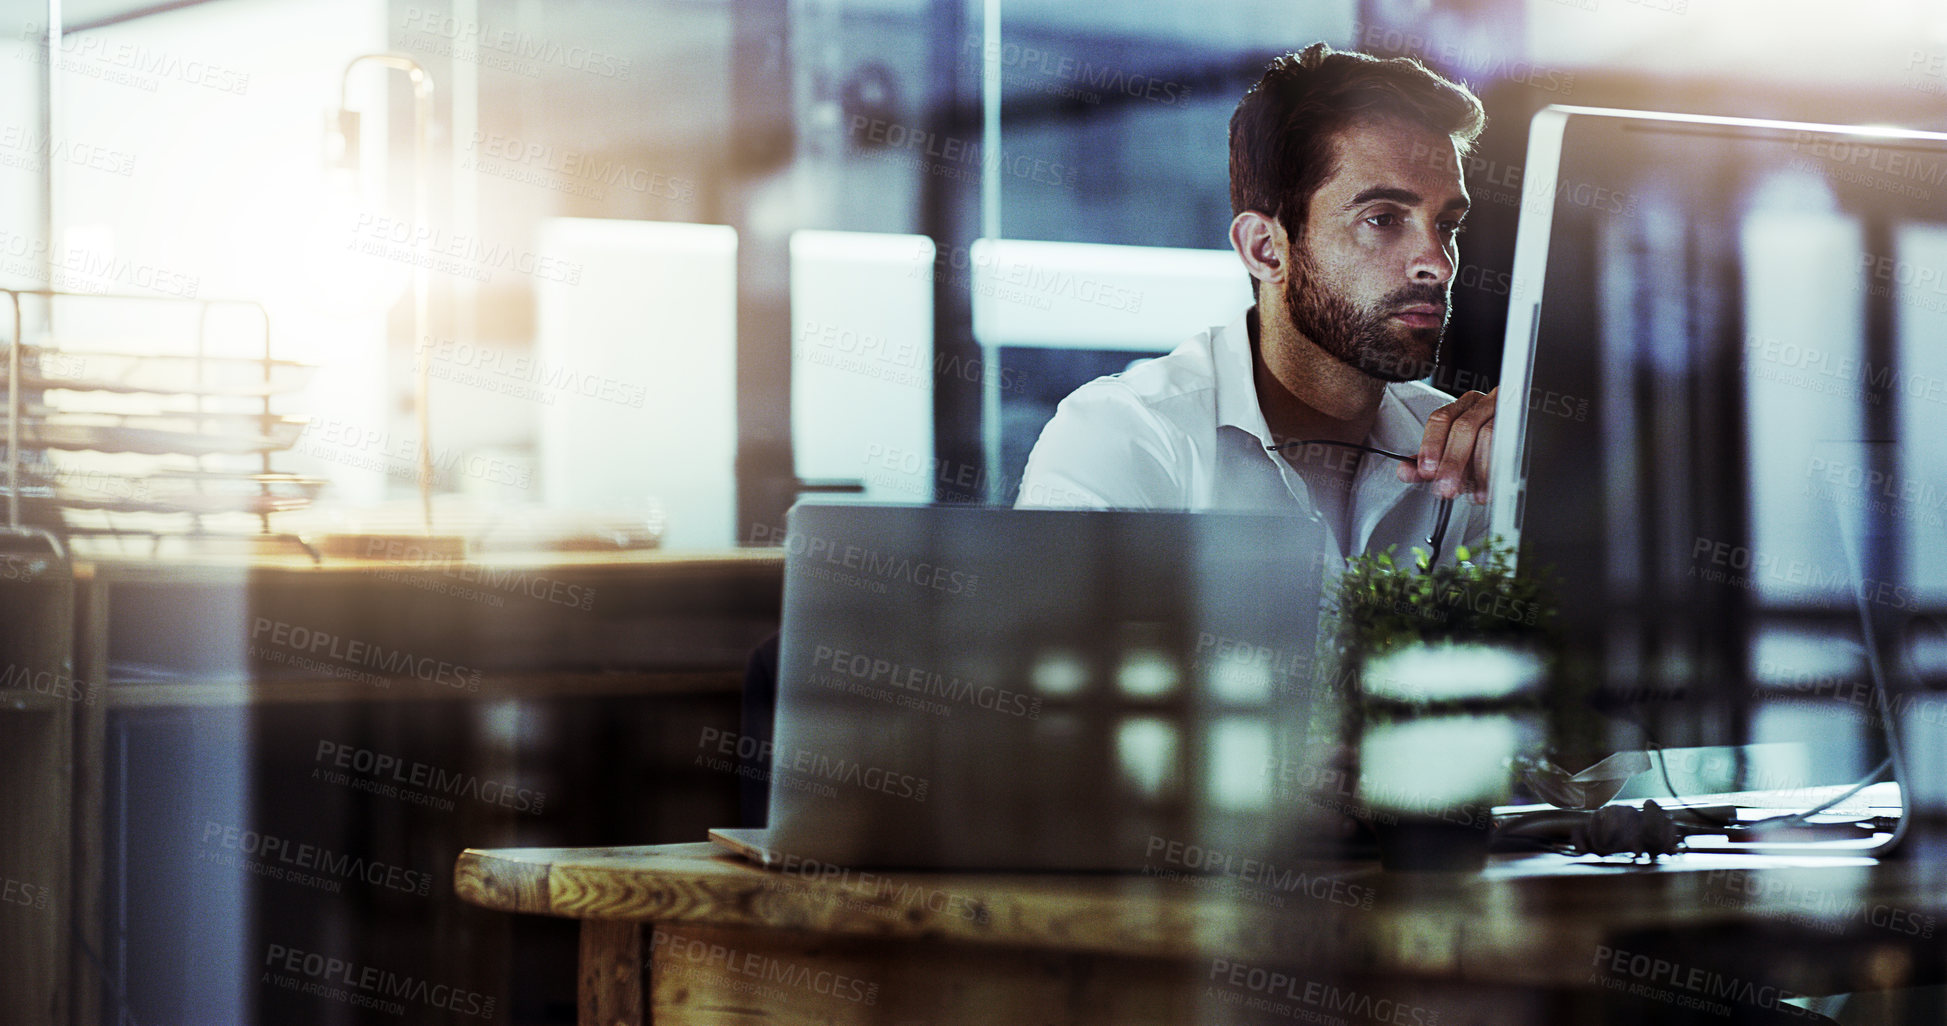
x=1350, y=237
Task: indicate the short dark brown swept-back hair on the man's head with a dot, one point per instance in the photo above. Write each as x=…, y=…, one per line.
x=1284, y=133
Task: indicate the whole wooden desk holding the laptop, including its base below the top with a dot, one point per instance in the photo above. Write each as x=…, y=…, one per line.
x=1533, y=939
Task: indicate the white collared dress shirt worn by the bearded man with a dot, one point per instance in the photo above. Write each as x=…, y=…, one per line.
x=1187, y=433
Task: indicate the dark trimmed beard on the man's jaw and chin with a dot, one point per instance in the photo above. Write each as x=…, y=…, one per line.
x=1364, y=338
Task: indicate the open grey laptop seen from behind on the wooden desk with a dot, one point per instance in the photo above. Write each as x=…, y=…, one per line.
x=984, y=688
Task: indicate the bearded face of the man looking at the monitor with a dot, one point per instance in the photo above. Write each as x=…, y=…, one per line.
x=1374, y=272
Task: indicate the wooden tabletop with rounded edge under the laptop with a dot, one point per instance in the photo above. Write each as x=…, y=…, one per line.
x=1829, y=926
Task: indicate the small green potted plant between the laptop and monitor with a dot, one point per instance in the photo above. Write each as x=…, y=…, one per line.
x=1448, y=677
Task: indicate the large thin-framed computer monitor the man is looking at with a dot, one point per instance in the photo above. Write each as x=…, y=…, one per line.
x=1707, y=311
